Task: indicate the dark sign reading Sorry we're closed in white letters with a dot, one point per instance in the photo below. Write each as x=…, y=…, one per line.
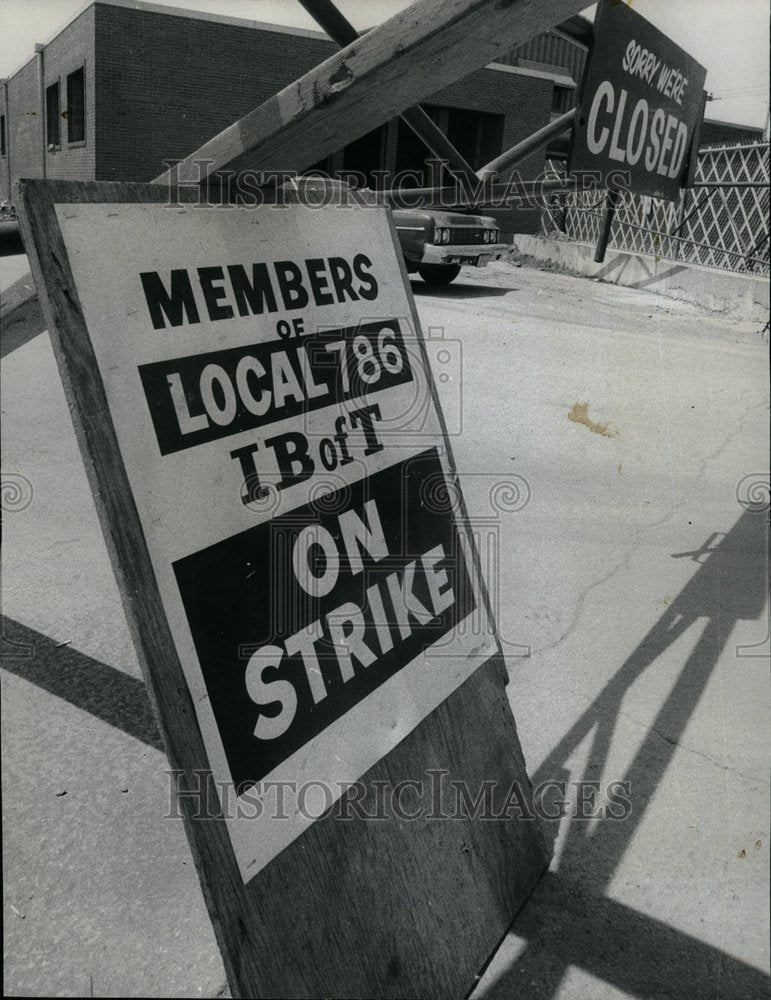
x=640, y=107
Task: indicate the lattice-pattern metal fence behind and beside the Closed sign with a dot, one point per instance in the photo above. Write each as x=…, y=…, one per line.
x=724, y=225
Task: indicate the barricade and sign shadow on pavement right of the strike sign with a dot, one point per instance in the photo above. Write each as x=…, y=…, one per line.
x=567, y=920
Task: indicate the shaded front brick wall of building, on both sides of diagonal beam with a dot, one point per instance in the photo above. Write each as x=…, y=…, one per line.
x=166, y=84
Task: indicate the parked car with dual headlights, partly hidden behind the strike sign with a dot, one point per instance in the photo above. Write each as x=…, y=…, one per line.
x=437, y=243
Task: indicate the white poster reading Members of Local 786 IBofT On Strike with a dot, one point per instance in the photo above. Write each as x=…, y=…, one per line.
x=276, y=422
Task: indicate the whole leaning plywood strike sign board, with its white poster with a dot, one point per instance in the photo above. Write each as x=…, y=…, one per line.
x=256, y=411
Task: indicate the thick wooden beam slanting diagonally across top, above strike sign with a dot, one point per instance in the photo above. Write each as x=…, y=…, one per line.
x=424, y=48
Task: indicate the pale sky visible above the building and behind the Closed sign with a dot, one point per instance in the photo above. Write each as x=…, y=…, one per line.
x=729, y=37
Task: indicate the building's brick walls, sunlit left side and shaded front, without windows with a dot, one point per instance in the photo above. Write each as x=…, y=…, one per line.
x=159, y=85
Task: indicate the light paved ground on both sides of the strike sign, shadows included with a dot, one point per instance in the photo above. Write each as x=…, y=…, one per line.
x=627, y=562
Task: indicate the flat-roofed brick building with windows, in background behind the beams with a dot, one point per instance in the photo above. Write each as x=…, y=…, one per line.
x=127, y=85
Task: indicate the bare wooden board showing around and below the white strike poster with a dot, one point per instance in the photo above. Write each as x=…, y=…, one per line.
x=349, y=908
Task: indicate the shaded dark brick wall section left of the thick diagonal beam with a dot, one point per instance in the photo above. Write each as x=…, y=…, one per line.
x=167, y=84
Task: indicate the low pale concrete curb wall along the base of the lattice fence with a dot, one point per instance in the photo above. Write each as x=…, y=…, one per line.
x=738, y=296
